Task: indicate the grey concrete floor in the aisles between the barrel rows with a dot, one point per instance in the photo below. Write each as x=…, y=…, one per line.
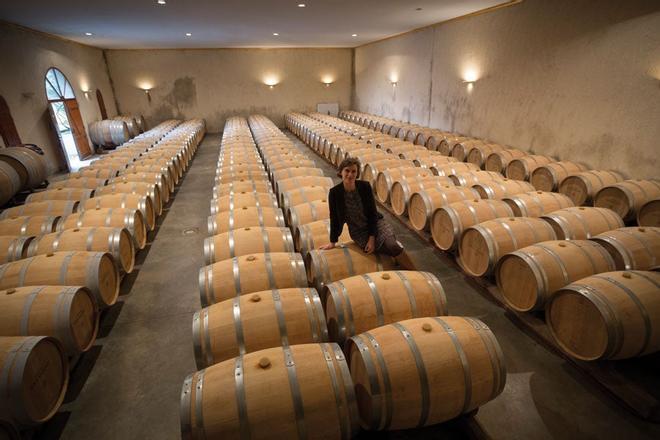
x=145, y=350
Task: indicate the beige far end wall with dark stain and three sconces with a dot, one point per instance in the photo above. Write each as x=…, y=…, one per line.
x=216, y=83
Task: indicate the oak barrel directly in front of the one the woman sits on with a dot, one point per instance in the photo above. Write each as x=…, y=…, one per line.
x=358, y=304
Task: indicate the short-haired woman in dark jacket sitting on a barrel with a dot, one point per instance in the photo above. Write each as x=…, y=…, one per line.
x=352, y=202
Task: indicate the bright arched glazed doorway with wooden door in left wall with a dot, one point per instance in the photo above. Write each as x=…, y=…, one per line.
x=67, y=119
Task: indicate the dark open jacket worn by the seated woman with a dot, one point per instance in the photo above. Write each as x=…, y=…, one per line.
x=336, y=202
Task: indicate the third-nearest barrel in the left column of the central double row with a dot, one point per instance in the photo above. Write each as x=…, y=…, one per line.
x=250, y=273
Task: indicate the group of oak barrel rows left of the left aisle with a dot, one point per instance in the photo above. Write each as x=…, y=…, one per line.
x=62, y=256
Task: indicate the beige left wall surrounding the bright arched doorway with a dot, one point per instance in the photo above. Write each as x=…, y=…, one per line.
x=26, y=56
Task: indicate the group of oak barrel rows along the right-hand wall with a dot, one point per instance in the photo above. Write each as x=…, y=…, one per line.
x=523, y=229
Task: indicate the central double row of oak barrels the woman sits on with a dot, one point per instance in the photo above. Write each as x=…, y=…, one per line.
x=269, y=335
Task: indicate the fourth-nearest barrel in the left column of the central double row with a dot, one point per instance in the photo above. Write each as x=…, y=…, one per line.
x=249, y=240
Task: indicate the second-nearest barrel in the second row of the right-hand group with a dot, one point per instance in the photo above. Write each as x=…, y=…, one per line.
x=581, y=223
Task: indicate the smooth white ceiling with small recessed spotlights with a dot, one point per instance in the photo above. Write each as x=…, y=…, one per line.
x=131, y=24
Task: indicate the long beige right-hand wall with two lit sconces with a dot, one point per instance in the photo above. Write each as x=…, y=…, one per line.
x=572, y=79
